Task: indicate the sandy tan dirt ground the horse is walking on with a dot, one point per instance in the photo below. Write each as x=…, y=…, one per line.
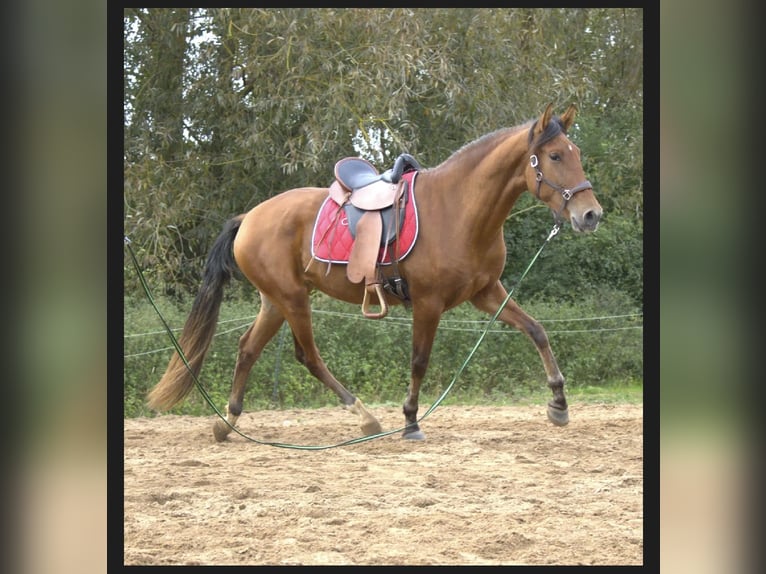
x=488, y=486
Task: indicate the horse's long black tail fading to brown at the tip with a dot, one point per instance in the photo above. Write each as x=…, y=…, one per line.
x=200, y=326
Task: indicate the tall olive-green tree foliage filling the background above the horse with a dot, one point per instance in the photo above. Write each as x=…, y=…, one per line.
x=226, y=107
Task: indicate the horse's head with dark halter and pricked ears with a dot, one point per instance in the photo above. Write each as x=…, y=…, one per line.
x=555, y=172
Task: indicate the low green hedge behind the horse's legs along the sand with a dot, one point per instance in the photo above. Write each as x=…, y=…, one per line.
x=371, y=358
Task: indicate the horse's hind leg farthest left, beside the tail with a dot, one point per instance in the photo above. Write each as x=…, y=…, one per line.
x=251, y=344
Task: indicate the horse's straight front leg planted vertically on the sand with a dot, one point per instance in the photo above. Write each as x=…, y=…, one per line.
x=424, y=324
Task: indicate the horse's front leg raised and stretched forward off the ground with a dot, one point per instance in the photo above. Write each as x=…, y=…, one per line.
x=489, y=300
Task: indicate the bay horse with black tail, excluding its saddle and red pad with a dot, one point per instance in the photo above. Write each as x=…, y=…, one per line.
x=459, y=256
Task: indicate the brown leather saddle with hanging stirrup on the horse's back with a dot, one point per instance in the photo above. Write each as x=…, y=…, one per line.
x=358, y=183
